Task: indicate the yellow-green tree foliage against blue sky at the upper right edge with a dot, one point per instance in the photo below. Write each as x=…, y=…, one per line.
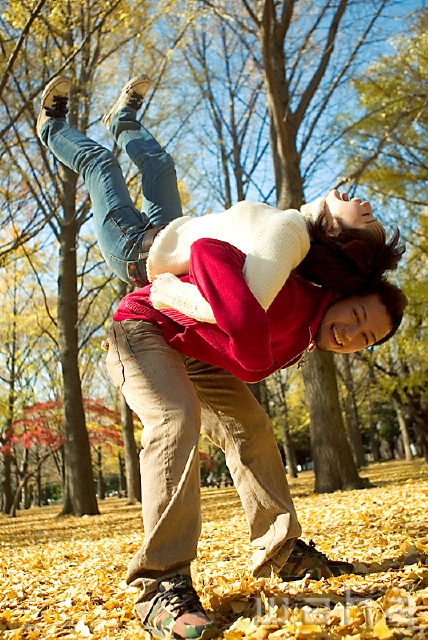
x=393, y=121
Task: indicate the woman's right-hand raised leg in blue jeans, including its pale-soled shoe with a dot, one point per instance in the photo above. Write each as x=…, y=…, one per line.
x=161, y=199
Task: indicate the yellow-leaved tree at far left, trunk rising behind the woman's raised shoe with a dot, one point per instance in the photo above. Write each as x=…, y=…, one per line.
x=97, y=45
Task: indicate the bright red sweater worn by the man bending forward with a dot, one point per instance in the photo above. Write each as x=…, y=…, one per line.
x=247, y=341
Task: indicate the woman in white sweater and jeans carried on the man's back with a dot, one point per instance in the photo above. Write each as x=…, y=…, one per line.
x=334, y=242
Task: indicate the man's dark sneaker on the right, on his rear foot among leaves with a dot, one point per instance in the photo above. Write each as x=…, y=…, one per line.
x=305, y=559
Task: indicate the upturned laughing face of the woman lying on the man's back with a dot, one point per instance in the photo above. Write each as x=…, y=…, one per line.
x=355, y=213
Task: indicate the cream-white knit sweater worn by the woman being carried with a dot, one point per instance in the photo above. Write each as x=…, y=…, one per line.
x=274, y=241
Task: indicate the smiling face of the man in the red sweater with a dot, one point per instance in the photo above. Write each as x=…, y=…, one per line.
x=352, y=324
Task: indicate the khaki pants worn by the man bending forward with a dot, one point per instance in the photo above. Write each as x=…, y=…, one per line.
x=173, y=396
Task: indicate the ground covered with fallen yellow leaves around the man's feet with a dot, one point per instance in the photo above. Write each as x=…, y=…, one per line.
x=64, y=577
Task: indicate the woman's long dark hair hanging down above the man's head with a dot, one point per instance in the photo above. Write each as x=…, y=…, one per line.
x=351, y=261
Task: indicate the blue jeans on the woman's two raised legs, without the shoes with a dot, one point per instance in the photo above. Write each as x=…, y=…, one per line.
x=119, y=226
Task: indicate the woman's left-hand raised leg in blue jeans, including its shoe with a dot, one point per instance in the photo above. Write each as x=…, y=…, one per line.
x=119, y=226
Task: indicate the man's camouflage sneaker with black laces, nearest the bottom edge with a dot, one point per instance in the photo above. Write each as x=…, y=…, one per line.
x=177, y=612
